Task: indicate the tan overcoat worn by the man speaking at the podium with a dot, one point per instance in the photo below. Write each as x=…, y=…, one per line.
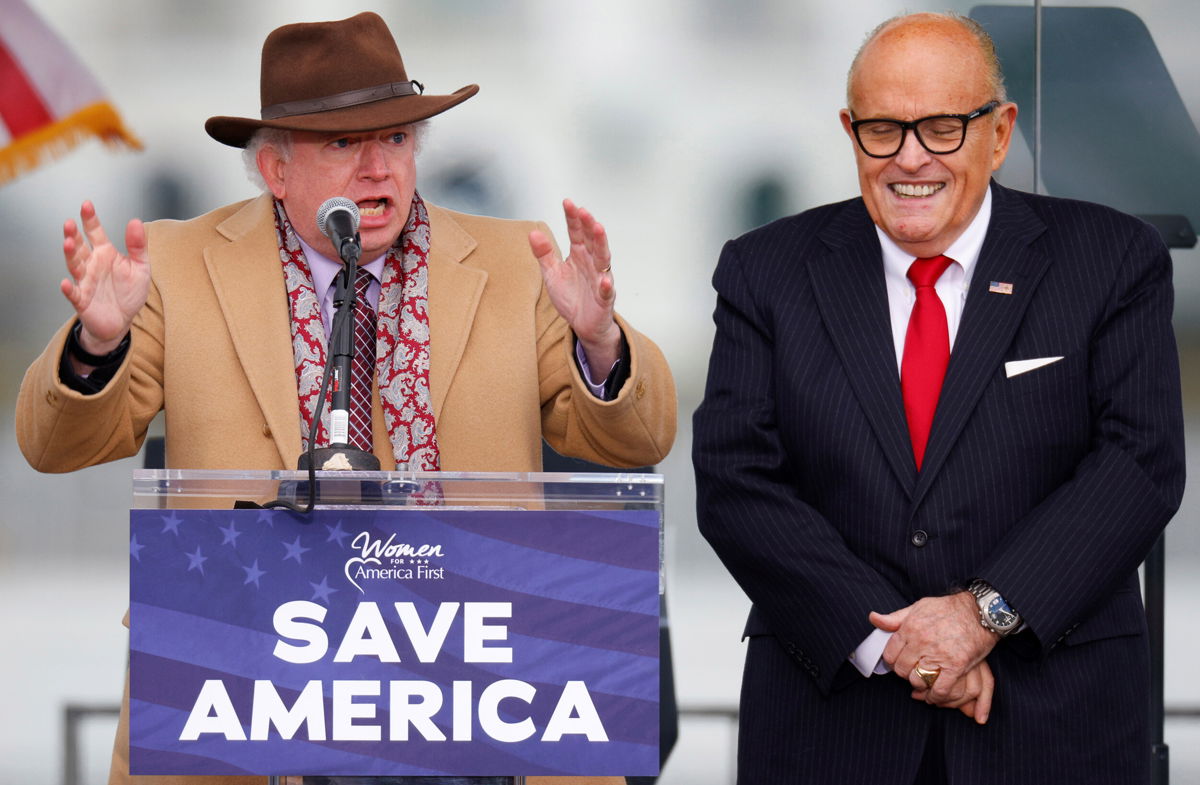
x=213, y=349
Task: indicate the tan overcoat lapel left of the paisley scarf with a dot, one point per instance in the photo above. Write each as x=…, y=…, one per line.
x=249, y=285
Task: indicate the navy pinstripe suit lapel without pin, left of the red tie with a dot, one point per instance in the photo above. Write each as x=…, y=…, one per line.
x=853, y=298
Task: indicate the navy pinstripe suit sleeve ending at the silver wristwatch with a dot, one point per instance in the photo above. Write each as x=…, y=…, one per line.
x=1075, y=552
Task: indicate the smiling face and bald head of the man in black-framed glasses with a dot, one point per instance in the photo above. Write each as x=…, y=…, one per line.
x=917, y=68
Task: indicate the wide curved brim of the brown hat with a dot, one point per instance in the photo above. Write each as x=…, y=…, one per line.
x=365, y=117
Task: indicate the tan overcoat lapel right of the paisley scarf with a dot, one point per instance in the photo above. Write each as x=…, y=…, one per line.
x=455, y=291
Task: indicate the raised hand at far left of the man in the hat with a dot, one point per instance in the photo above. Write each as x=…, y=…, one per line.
x=106, y=287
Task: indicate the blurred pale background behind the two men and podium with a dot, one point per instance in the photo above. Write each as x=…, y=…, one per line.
x=681, y=124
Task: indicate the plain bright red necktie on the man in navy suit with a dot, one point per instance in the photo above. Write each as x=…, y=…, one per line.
x=927, y=352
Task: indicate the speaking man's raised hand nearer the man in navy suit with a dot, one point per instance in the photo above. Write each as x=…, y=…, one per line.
x=581, y=286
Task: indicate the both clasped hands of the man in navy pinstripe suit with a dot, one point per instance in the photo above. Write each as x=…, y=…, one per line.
x=943, y=634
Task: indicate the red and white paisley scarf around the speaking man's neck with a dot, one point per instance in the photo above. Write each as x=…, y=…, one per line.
x=403, y=340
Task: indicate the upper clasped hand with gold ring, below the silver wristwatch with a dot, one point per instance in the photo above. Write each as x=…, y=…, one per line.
x=938, y=633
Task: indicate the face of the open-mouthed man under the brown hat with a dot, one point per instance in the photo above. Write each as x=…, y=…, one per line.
x=375, y=170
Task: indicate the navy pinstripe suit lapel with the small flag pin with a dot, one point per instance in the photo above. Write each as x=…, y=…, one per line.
x=989, y=322
